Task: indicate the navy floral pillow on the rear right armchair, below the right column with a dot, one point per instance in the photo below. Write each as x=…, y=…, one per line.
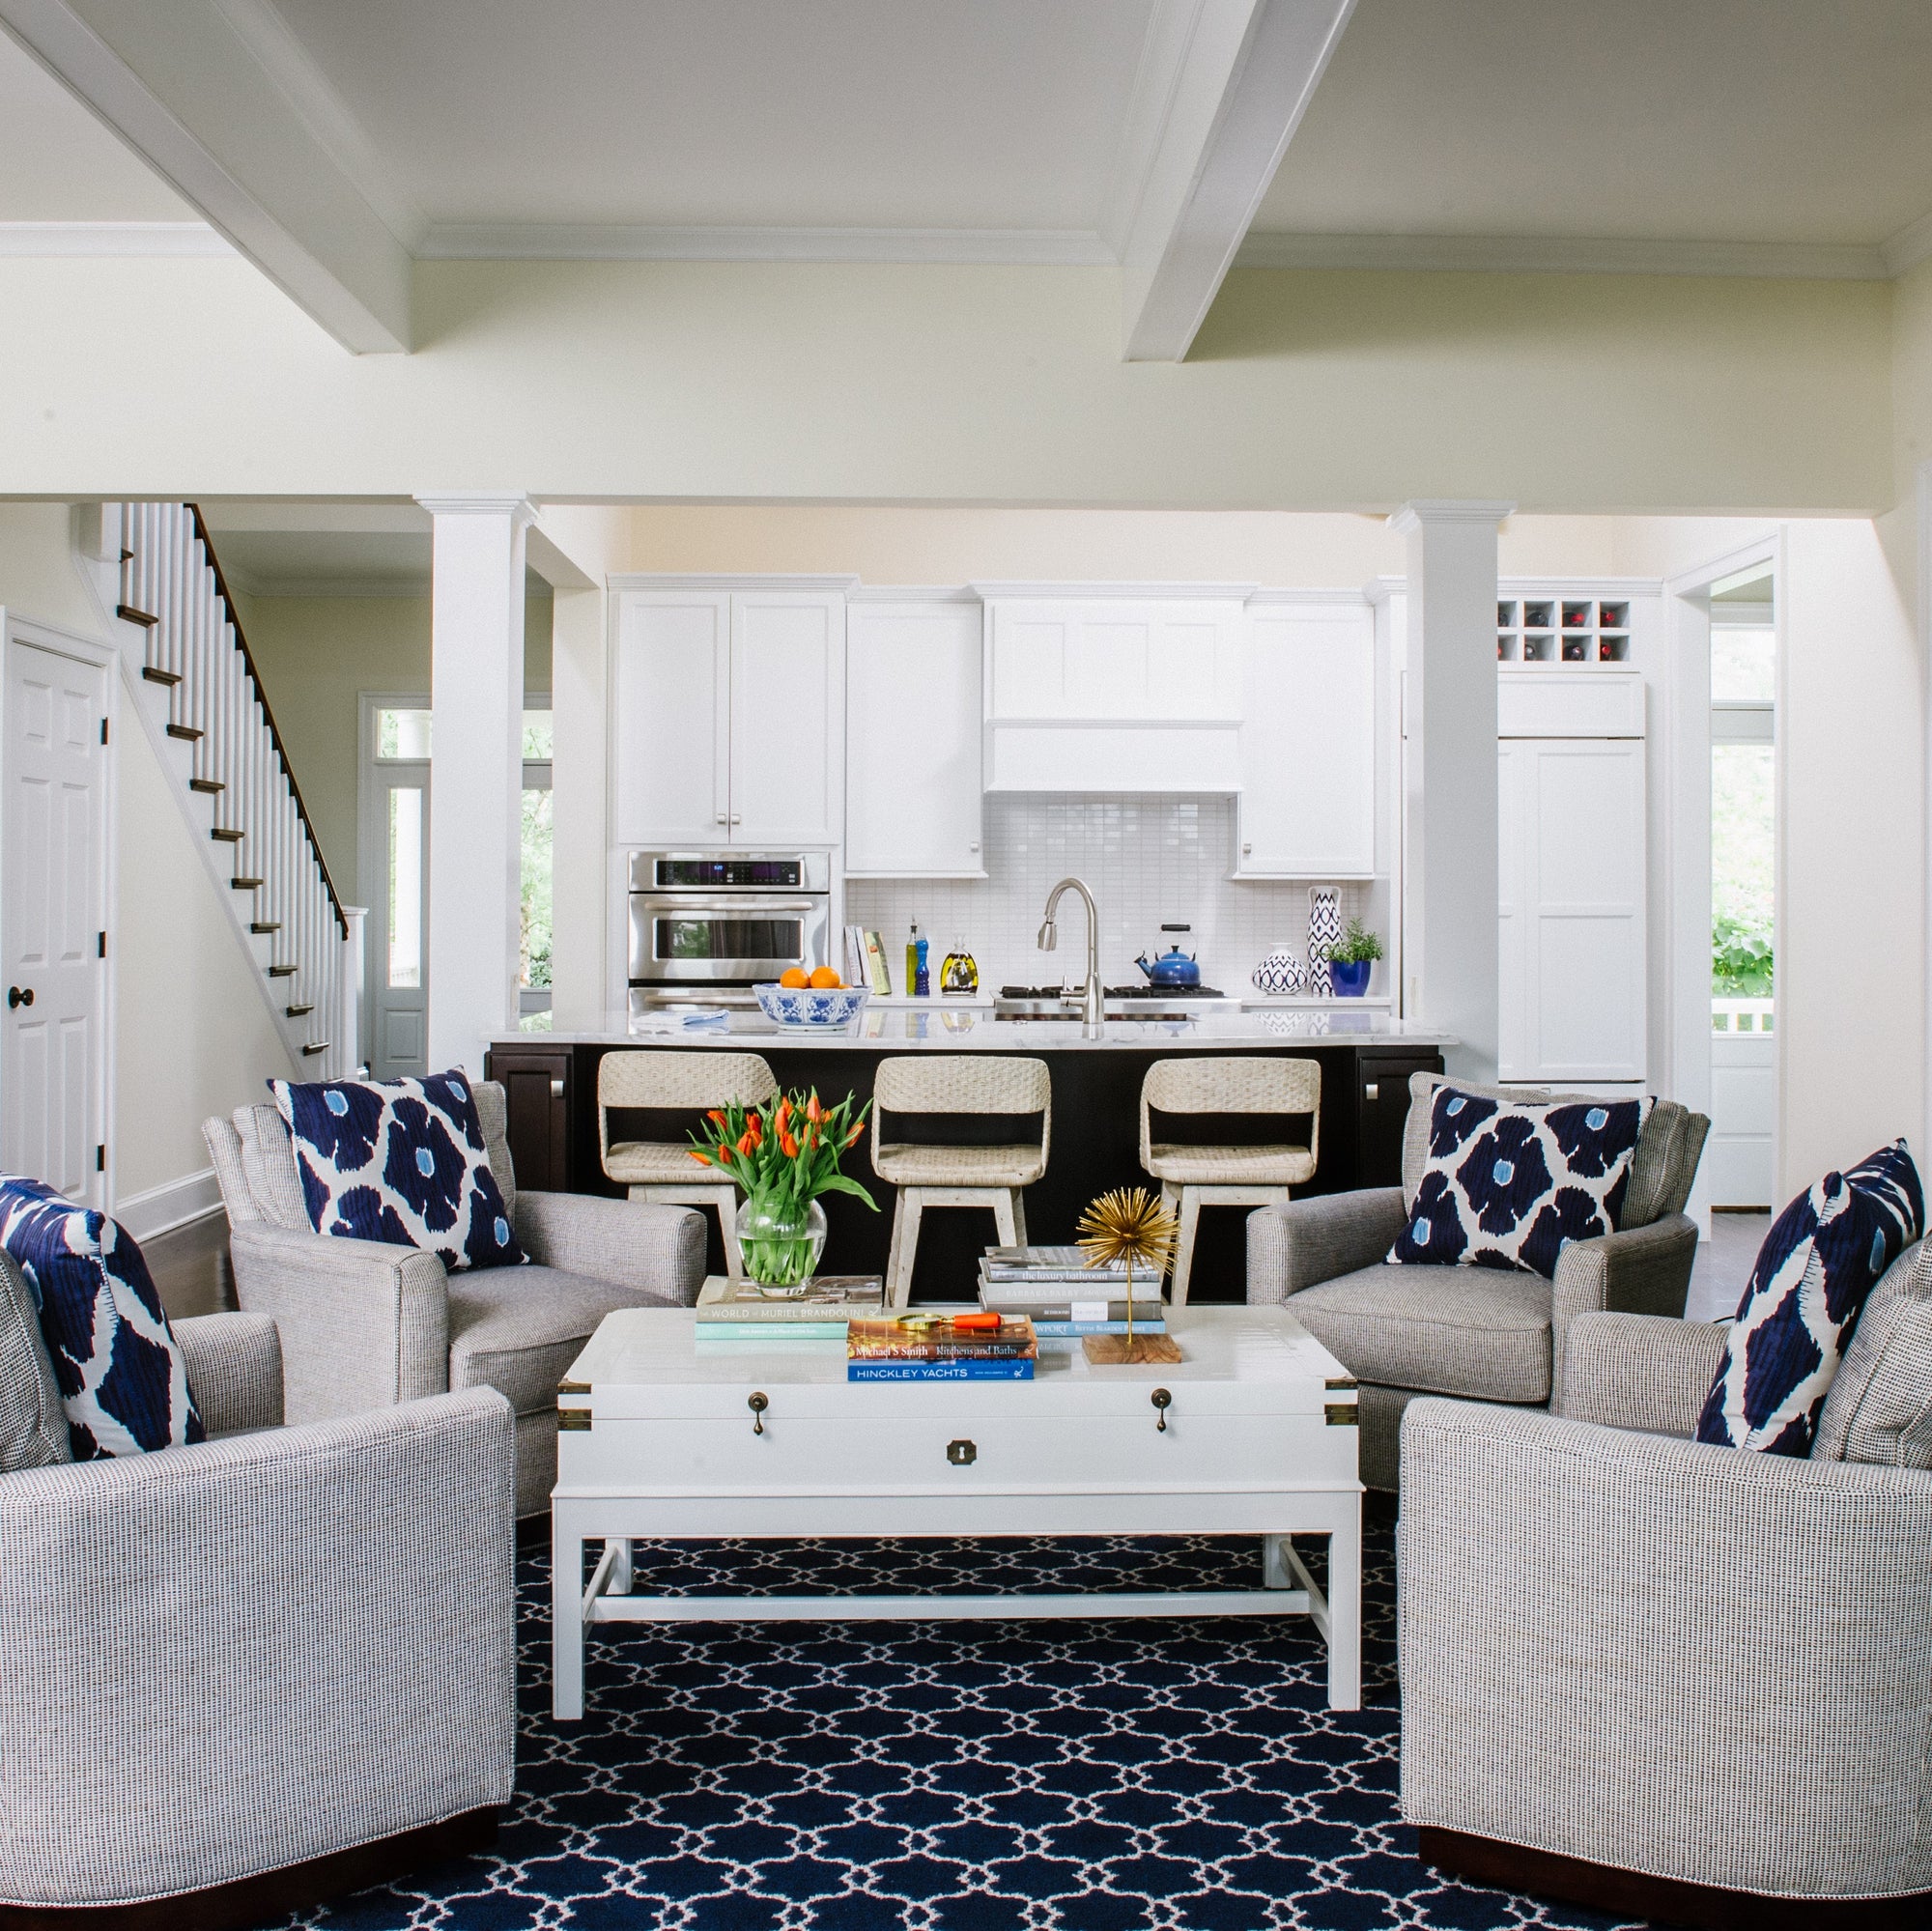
x=1514, y=1185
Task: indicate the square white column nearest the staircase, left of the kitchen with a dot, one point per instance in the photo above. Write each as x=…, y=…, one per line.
x=476, y=773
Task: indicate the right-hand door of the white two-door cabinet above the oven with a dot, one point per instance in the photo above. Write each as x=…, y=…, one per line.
x=787, y=717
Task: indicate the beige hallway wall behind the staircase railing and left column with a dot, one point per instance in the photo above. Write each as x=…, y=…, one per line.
x=316, y=656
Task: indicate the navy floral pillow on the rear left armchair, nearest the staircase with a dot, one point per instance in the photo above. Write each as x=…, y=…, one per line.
x=399, y=1161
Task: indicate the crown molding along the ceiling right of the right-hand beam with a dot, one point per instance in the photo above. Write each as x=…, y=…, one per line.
x=1577, y=256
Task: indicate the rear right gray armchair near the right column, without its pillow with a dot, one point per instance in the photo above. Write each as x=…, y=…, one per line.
x=1471, y=1331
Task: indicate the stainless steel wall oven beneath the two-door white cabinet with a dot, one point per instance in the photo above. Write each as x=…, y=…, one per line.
x=708, y=926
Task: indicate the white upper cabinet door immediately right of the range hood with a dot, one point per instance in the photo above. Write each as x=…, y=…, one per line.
x=1309, y=746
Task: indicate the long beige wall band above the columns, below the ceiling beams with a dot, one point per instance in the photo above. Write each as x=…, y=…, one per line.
x=735, y=381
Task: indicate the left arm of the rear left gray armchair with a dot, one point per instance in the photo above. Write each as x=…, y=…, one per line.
x=362, y=1324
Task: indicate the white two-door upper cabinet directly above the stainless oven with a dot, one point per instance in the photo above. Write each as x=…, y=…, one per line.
x=727, y=717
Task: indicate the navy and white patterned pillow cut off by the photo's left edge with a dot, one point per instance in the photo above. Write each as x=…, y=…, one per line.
x=119, y=1368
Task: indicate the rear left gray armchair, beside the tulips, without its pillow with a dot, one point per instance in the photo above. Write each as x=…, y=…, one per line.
x=366, y=1324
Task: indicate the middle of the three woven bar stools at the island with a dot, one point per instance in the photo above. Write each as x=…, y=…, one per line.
x=957, y=1177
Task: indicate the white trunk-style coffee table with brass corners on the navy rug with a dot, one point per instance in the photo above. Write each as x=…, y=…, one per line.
x=1251, y=1436
